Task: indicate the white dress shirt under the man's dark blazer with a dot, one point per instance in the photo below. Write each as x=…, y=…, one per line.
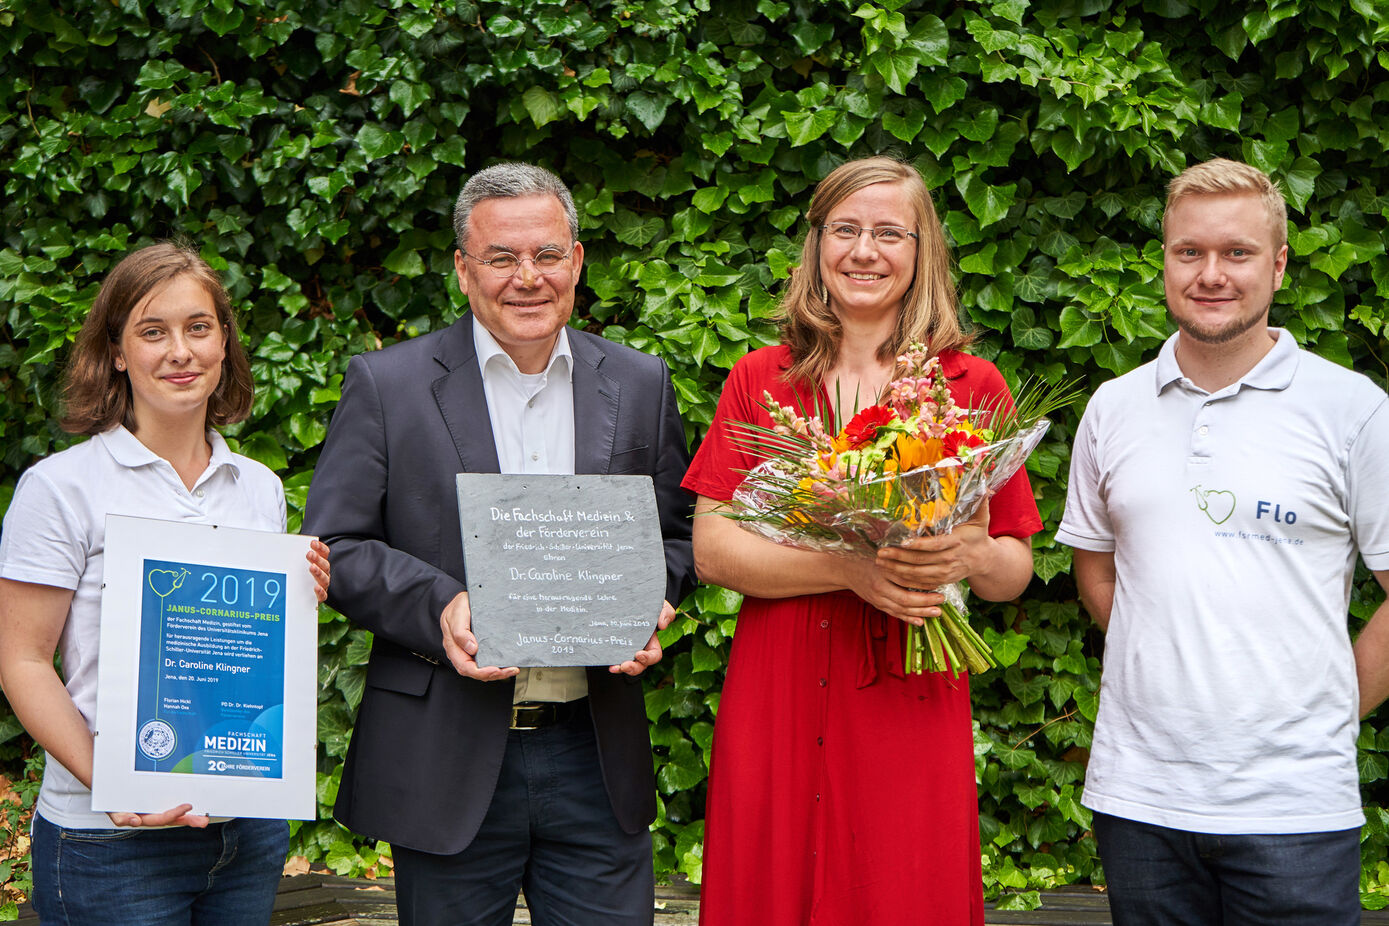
x=533, y=428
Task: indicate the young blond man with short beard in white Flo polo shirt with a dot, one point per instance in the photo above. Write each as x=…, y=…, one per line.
x=1219, y=498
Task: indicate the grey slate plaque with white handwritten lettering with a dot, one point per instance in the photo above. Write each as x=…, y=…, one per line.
x=562, y=570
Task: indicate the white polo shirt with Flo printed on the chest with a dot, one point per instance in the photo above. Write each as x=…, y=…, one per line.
x=1229, y=702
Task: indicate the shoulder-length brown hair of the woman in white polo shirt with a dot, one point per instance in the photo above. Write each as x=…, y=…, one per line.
x=97, y=396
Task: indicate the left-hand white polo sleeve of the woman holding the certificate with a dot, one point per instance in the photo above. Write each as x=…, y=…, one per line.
x=45, y=541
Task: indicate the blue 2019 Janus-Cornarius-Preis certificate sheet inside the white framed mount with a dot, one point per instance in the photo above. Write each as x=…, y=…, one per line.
x=212, y=671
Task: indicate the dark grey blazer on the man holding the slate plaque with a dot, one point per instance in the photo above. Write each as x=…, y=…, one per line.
x=429, y=743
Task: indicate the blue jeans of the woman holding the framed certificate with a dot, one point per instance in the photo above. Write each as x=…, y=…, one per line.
x=226, y=875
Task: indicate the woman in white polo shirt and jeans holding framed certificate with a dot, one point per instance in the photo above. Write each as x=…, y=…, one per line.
x=155, y=369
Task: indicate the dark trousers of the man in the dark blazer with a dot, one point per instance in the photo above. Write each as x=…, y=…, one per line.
x=549, y=832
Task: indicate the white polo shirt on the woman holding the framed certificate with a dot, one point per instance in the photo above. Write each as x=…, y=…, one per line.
x=55, y=535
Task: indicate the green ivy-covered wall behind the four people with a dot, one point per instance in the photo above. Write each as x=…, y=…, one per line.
x=312, y=149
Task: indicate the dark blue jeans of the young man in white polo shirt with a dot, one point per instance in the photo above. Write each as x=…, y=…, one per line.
x=1161, y=877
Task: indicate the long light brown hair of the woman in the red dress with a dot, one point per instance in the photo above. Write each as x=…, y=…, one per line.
x=930, y=312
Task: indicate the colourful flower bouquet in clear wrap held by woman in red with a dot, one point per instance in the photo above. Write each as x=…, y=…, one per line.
x=917, y=464
